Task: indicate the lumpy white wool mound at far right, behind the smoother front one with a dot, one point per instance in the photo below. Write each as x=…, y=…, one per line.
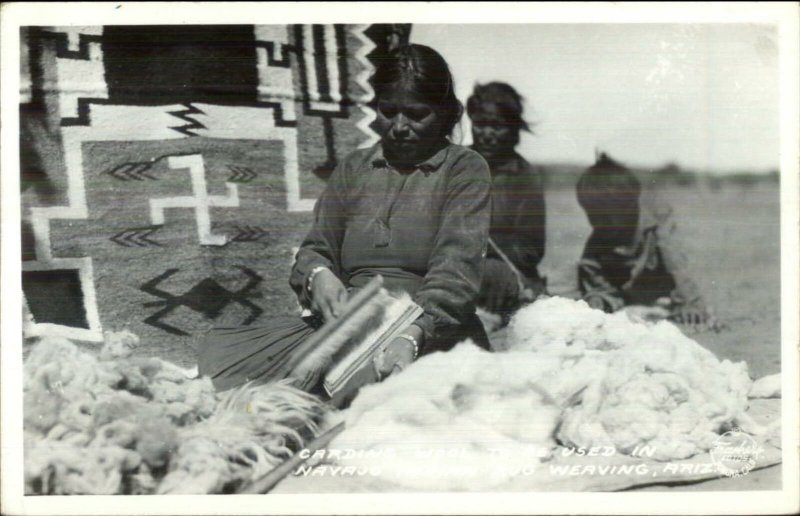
x=641, y=384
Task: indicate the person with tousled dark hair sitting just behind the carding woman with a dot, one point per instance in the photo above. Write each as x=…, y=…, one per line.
x=517, y=230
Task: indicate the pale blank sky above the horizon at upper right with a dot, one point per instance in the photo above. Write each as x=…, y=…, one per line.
x=704, y=96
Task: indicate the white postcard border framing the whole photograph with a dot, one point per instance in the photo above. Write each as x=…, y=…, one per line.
x=14, y=15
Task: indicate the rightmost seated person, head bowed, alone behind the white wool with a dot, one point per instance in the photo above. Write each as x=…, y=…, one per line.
x=632, y=256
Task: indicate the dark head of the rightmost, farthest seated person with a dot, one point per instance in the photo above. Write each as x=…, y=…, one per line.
x=608, y=186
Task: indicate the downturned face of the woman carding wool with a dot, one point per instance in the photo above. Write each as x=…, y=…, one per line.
x=410, y=127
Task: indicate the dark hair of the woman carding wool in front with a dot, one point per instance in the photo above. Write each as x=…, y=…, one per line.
x=422, y=71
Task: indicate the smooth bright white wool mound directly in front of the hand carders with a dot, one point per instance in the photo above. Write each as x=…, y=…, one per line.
x=463, y=419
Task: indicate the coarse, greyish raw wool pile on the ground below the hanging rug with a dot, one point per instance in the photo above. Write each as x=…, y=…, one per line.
x=120, y=424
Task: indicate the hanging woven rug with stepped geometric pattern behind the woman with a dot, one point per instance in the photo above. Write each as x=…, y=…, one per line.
x=169, y=172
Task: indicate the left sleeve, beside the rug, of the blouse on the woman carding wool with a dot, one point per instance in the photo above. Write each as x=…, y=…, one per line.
x=322, y=245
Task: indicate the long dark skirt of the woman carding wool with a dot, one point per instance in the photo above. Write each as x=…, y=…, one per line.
x=235, y=356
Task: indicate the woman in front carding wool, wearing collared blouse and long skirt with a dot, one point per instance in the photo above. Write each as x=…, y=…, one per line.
x=413, y=208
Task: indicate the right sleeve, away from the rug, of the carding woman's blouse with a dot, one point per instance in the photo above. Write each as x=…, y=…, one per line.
x=451, y=286
